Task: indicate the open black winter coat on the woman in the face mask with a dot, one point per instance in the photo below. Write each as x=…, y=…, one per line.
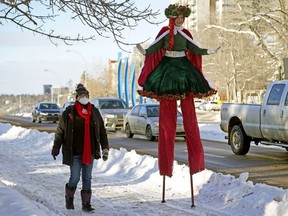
x=64, y=134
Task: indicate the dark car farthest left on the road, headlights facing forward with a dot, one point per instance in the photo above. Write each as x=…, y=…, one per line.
x=45, y=111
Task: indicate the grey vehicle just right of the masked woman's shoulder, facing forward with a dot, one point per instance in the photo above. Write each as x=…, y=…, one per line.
x=113, y=111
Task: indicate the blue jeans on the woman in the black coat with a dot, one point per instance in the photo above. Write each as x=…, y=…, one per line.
x=75, y=171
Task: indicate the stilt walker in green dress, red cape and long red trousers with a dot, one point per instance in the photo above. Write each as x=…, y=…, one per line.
x=173, y=71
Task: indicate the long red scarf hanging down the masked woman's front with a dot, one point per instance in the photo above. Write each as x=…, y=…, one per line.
x=86, y=114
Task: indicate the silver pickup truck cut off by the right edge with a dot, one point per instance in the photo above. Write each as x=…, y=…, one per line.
x=266, y=124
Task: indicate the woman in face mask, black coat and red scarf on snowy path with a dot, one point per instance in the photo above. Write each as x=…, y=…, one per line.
x=82, y=135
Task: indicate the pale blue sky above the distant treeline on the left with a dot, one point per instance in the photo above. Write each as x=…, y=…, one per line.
x=28, y=61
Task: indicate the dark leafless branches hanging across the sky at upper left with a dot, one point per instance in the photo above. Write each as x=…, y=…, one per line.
x=109, y=18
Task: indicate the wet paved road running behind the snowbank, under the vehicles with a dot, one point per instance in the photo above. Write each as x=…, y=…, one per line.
x=265, y=165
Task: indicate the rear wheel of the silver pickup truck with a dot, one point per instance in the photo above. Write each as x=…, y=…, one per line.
x=240, y=143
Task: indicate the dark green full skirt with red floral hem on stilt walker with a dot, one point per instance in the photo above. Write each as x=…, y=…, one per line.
x=175, y=78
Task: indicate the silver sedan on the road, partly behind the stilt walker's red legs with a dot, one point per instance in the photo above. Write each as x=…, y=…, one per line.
x=144, y=119
